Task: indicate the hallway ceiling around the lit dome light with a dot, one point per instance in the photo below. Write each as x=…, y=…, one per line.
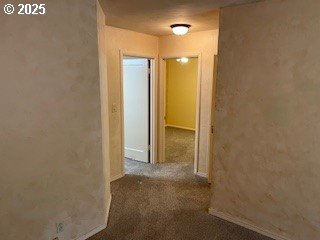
x=155, y=16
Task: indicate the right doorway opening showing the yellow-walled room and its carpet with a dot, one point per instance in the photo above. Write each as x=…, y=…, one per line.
x=181, y=106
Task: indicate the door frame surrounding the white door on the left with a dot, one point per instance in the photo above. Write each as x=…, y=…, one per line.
x=153, y=104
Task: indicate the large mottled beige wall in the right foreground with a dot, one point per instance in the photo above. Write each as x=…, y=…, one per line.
x=267, y=167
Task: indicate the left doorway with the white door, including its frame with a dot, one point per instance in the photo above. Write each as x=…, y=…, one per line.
x=138, y=110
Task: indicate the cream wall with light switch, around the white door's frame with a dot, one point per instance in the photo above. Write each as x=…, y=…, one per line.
x=135, y=43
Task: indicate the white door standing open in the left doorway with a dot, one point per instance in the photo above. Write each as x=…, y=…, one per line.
x=136, y=109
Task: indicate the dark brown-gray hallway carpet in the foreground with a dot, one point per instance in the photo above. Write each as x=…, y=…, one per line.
x=150, y=203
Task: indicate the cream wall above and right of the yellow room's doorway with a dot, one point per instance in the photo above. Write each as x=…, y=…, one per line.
x=206, y=44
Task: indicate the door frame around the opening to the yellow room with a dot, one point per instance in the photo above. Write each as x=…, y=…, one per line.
x=162, y=105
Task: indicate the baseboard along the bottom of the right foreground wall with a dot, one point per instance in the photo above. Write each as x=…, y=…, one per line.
x=245, y=224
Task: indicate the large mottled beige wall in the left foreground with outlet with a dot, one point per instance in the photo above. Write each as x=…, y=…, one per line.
x=50, y=126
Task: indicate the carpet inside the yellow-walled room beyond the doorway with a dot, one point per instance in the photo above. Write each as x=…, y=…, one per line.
x=179, y=145
